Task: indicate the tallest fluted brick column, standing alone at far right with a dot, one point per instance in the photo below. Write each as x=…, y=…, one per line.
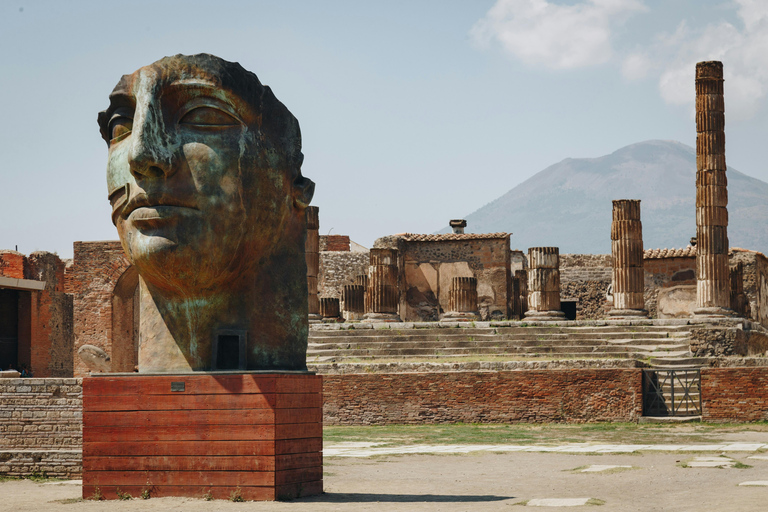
x=713, y=281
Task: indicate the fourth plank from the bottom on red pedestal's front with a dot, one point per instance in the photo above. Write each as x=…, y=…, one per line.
x=192, y=448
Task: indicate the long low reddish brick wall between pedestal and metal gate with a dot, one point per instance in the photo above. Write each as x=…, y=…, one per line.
x=483, y=397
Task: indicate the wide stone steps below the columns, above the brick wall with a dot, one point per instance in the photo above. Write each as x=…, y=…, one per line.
x=656, y=345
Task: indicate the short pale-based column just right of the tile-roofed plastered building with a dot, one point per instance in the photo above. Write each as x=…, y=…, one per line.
x=544, y=284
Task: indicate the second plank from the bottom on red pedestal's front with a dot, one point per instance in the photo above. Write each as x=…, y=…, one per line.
x=200, y=478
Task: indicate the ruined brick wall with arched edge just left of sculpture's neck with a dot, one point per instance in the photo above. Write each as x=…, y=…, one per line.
x=94, y=273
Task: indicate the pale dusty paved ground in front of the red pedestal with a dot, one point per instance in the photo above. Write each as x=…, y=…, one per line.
x=731, y=476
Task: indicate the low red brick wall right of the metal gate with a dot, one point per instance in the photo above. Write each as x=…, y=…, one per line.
x=734, y=394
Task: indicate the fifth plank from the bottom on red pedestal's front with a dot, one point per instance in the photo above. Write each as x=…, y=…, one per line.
x=189, y=433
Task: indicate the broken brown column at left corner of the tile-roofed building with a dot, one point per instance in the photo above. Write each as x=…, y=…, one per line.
x=383, y=296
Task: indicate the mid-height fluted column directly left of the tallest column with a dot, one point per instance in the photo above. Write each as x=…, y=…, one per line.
x=627, y=252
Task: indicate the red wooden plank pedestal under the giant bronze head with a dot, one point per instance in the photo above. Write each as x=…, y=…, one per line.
x=196, y=434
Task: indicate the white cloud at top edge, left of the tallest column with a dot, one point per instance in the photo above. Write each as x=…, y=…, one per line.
x=542, y=33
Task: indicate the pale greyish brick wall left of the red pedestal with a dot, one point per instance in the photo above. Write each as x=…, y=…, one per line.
x=41, y=427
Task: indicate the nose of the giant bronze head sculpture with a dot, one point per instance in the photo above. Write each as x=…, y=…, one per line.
x=151, y=154
